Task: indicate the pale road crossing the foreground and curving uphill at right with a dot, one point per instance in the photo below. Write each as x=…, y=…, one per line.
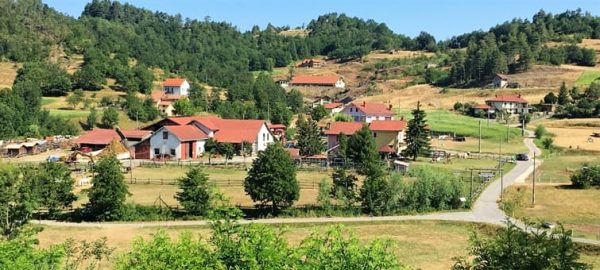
x=485, y=209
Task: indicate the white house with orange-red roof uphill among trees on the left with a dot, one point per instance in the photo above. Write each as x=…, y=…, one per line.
x=173, y=90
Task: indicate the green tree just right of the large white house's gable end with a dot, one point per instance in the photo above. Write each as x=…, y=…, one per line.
x=309, y=137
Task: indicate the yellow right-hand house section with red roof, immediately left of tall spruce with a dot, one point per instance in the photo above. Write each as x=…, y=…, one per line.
x=389, y=135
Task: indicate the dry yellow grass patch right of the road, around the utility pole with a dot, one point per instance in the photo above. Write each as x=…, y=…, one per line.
x=576, y=209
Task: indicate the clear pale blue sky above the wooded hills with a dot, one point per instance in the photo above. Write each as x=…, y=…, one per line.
x=442, y=18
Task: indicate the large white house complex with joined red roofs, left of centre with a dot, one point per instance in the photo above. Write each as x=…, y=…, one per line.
x=188, y=141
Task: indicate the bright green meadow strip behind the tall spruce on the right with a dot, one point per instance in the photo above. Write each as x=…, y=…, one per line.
x=449, y=122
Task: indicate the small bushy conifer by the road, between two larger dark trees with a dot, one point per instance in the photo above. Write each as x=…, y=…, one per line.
x=196, y=192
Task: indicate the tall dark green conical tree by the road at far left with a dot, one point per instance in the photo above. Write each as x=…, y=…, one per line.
x=108, y=192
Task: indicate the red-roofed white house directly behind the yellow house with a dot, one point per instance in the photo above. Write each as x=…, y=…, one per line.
x=367, y=112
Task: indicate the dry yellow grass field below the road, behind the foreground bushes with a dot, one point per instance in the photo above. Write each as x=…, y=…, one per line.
x=421, y=244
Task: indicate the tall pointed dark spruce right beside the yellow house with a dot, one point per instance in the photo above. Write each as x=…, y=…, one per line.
x=417, y=137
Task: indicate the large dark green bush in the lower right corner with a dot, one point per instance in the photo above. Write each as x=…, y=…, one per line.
x=514, y=248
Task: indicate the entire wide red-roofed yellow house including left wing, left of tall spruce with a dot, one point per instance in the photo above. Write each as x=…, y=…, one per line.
x=389, y=135
